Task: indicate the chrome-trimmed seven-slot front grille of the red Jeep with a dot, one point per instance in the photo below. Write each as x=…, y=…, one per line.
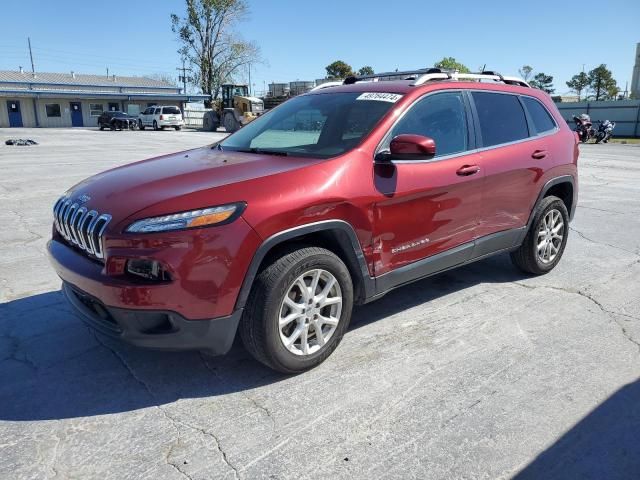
x=81, y=227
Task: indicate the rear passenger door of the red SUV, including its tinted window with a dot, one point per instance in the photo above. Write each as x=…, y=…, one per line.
x=508, y=159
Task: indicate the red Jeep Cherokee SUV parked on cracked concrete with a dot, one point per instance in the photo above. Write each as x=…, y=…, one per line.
x=331, y=199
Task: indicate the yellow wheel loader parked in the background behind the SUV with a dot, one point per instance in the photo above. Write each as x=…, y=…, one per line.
x=237, y=108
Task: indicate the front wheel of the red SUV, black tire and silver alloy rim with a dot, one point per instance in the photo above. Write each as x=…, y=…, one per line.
x=260, y=325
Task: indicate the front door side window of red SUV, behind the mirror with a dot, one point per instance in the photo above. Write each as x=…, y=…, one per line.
x=440, y=116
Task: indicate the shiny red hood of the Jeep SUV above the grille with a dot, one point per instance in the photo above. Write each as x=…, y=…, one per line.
x=179, y=181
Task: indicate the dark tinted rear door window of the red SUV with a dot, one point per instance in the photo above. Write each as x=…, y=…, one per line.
x=501, y=118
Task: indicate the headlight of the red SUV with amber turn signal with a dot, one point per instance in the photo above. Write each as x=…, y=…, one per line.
x=195, y=218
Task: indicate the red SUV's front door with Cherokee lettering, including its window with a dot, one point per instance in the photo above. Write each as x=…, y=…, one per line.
x=428, y=207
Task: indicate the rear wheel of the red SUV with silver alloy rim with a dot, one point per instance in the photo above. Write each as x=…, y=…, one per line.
x=528, y=257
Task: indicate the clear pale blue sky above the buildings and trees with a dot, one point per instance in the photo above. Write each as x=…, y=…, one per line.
x=298, y=39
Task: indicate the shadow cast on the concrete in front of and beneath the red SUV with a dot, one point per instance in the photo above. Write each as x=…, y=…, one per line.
x=52, y=366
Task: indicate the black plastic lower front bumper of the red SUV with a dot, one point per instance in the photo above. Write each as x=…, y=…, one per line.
x=162, y=330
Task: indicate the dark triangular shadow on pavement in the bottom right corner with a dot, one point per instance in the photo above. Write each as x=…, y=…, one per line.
x=603, y=445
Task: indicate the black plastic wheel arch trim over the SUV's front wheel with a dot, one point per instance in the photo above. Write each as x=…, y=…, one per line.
x=337, y=236
